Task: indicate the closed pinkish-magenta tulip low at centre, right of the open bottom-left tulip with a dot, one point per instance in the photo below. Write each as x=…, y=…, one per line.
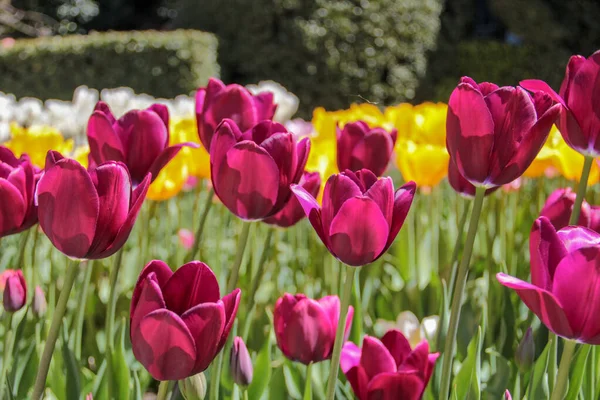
x=305, y=328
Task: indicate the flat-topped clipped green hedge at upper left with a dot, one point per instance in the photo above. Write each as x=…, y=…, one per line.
x=162, y=64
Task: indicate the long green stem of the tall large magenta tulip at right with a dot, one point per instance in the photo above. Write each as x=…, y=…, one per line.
x=458, y=294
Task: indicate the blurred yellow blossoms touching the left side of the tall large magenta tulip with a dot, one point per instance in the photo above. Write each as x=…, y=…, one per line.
x=421, y=154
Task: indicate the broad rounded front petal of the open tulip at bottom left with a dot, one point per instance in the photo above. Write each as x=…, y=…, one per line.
x=164, y=345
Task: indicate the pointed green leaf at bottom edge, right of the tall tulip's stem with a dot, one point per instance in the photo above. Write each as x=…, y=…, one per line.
x=467, y=384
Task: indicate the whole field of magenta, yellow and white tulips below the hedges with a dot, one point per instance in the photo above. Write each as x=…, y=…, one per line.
x=230, y=251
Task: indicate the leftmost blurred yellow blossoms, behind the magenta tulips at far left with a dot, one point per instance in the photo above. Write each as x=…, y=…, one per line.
x=36, y=140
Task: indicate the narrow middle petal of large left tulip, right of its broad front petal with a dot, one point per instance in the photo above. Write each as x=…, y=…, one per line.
x=113, y=186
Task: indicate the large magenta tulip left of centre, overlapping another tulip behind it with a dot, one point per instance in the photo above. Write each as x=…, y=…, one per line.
x=252, y=171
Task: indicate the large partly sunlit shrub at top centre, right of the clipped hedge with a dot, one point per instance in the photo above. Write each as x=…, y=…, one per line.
x=328, y=52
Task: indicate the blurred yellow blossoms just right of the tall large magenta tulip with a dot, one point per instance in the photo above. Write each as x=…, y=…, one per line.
x=557, y=156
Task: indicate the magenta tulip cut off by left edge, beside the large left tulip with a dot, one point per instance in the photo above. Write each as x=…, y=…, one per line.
x=18, y=178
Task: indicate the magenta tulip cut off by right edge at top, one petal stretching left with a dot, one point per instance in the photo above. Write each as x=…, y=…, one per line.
x=579, y=121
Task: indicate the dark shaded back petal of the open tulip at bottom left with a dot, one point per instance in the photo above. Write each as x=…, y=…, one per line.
x=197, y=281
